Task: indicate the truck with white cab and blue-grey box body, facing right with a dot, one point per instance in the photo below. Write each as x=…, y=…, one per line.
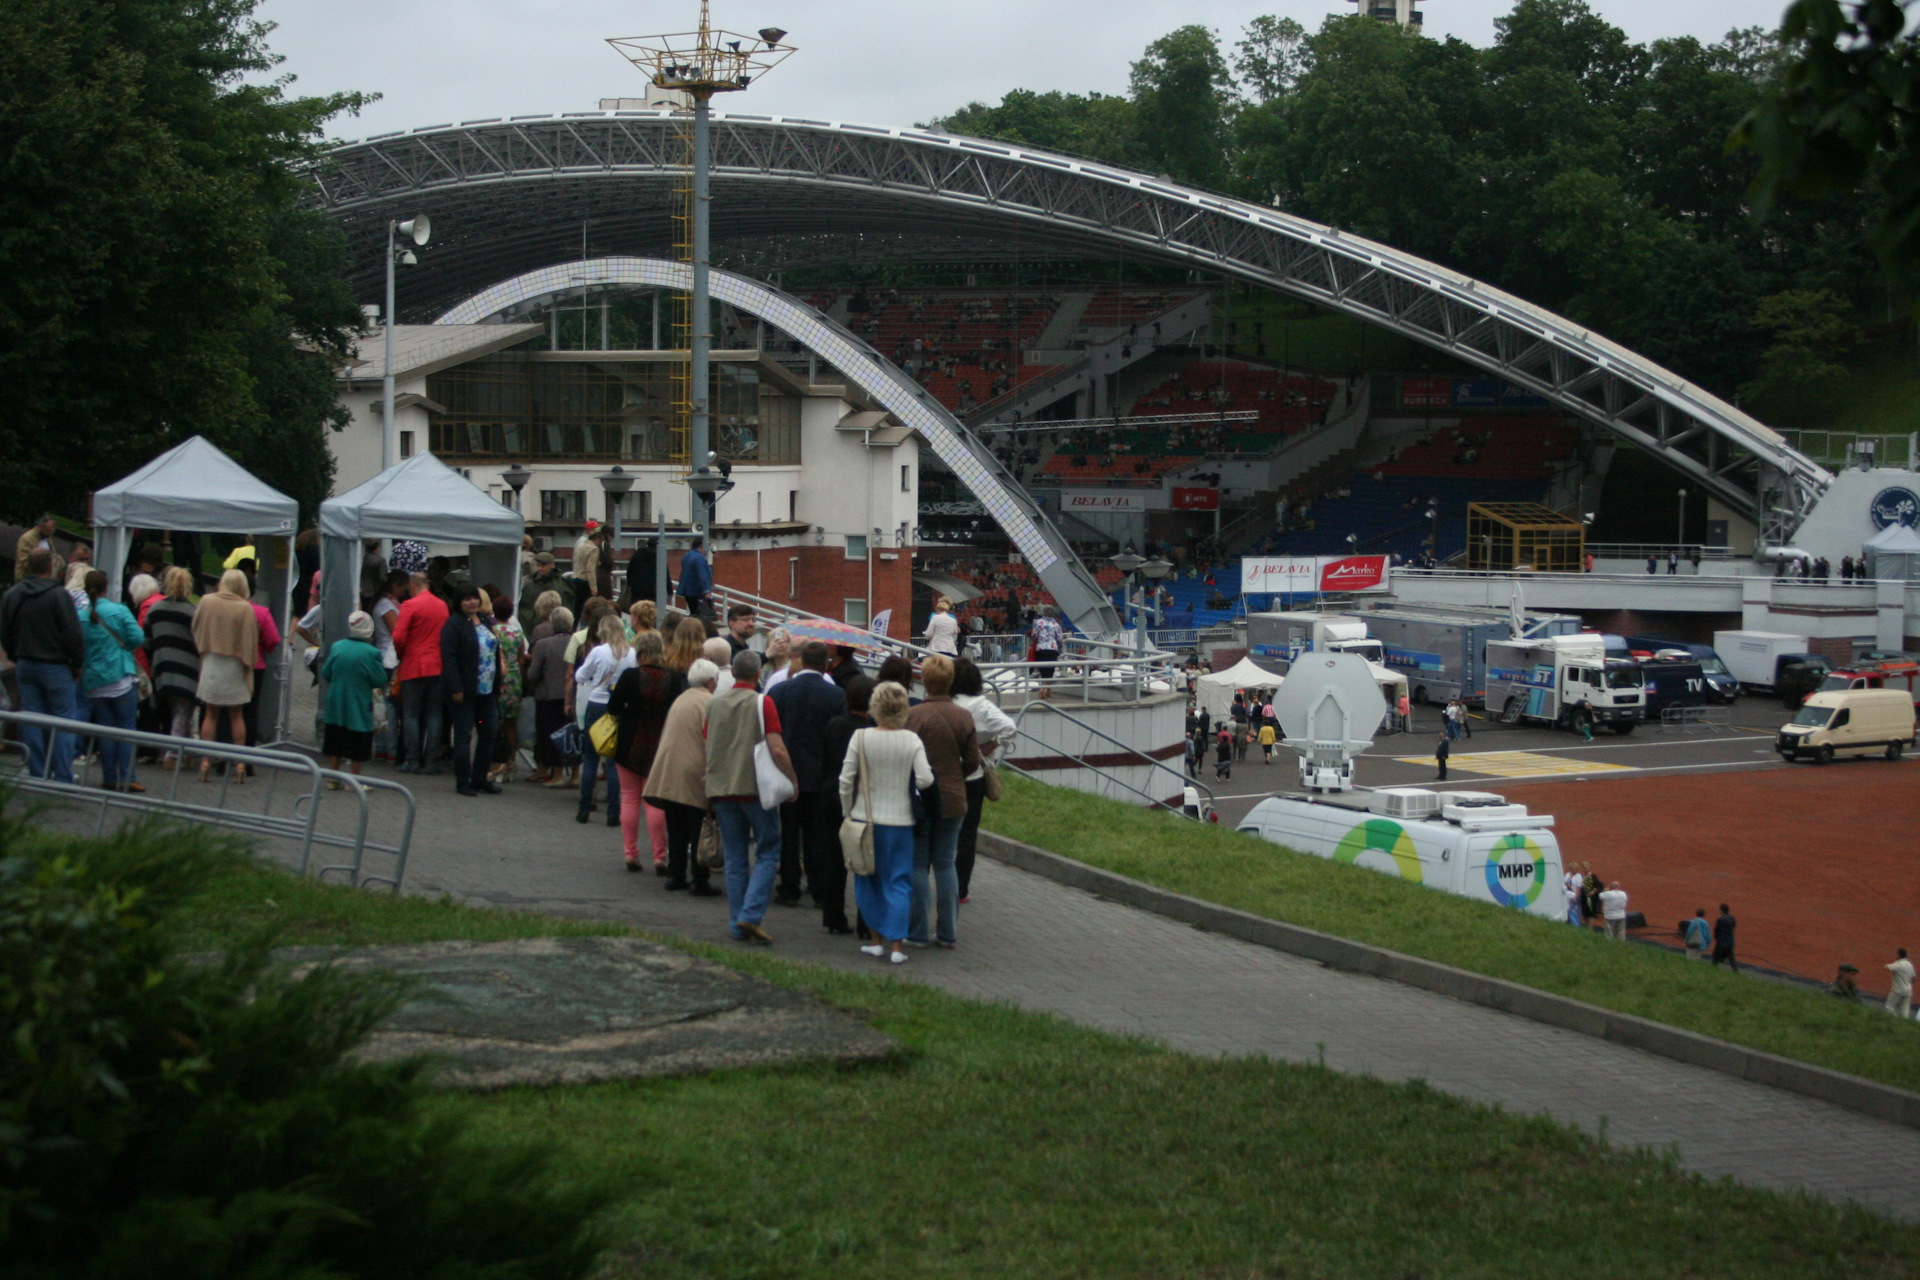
x=1558, y=678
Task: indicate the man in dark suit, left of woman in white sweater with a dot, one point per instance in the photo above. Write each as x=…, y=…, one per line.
x=807, y=701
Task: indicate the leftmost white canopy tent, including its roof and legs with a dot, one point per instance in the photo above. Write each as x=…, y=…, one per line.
x=197, y=488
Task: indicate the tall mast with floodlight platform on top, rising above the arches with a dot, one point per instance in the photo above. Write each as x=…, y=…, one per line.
x=702, y=64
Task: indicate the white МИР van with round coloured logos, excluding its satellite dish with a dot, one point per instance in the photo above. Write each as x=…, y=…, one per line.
x=1468, y=843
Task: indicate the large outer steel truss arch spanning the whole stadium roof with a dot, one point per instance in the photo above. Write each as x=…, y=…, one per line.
x=519, y=193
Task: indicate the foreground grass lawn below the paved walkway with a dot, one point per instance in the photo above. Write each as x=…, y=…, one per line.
x=1017, y=1145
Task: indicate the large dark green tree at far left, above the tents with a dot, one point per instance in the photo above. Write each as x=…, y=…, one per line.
x=156, y=273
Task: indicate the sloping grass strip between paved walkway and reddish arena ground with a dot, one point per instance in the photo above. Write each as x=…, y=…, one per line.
x=1251, y=874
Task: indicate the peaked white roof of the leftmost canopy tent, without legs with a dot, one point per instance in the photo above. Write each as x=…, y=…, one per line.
x=197, y=488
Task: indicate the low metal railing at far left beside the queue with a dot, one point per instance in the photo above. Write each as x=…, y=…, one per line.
x=297, y=822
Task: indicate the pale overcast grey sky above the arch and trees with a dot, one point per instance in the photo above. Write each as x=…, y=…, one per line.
x=861, y=60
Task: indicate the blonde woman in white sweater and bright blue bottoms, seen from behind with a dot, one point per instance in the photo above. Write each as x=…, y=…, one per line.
x=896, y=769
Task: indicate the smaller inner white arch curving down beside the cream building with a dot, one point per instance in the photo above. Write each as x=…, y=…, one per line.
x=880, y=379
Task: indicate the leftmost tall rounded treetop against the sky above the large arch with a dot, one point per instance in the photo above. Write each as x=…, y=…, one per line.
x=1184, y=107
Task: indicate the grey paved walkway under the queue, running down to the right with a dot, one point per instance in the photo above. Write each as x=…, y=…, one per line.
x=1068, y=953
